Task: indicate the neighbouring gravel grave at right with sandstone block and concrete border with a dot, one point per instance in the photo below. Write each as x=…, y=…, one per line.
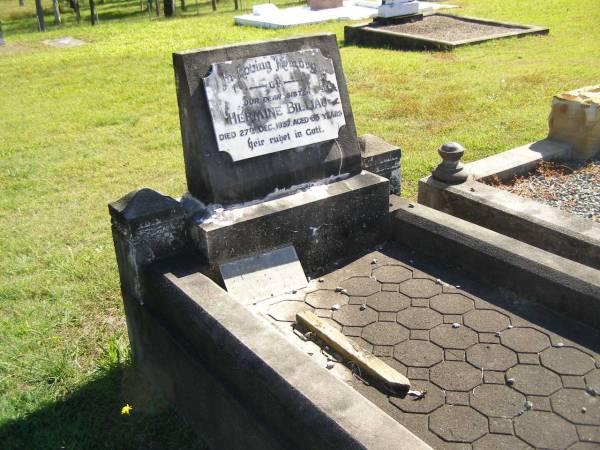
x=574, y=136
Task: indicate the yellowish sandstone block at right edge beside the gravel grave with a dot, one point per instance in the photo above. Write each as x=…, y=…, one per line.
x=575, y=119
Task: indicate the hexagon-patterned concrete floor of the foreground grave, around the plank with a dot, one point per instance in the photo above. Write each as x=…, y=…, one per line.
x=496, y=371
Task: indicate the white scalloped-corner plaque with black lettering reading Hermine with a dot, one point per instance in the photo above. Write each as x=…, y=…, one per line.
x=272, y=103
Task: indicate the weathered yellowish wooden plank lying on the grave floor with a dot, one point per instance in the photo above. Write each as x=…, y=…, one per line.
x=350, y=350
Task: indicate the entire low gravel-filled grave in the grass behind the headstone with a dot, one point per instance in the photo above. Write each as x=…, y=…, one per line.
x=434, y=32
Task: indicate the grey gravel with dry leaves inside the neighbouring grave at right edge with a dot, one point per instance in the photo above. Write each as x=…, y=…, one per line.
x=573, y=187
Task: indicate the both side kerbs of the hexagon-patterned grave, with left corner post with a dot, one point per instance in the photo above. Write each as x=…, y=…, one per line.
x=230, y=371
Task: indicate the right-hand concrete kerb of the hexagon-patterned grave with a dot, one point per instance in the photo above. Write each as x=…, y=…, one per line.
x=561, y=284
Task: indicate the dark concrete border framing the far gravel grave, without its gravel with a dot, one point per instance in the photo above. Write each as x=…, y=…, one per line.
x=371, y=36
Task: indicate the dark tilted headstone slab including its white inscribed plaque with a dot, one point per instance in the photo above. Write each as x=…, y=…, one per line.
x=260, y=117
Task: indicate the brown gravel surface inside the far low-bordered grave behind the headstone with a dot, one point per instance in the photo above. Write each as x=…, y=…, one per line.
x=449, y=28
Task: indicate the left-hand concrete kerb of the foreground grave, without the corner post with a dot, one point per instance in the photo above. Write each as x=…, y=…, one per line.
x=261, y=371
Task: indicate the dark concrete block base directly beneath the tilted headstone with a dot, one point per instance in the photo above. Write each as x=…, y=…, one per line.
x=324, y=224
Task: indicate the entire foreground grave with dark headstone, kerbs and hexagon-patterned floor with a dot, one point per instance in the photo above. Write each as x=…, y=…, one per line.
x=283, y=216
